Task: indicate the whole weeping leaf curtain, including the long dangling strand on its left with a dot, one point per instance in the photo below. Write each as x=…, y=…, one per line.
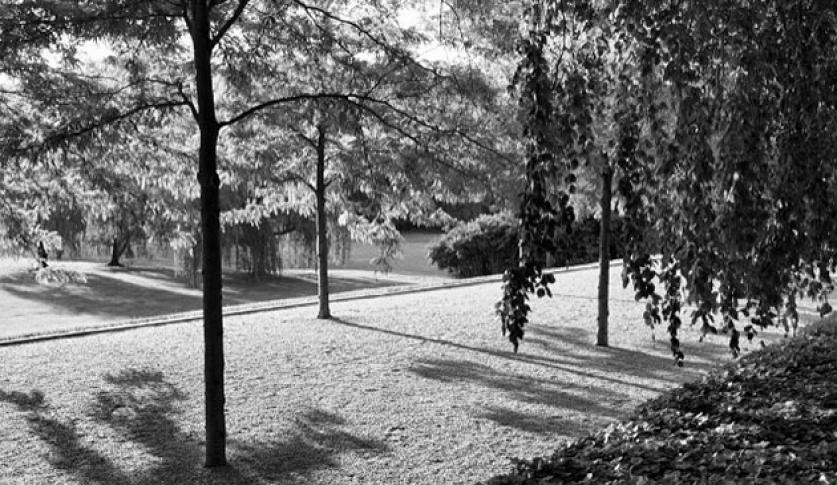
x=724, y=138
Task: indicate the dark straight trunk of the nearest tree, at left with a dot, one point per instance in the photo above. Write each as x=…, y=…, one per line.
x=211, y=229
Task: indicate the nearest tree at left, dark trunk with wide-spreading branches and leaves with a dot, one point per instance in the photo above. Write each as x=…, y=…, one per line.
x=232, y=44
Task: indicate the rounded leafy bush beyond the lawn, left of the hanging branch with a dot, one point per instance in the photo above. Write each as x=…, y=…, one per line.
x=486, y=245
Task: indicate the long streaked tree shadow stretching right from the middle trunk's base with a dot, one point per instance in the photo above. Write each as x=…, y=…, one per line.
x=599, y=381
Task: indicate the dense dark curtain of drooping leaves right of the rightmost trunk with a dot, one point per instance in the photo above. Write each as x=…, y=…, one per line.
x=738, y=117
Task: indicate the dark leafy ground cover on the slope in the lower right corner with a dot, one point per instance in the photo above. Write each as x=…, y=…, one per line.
x=769, y=418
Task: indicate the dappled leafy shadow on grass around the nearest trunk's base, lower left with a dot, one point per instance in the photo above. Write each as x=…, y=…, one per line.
x=140, y=406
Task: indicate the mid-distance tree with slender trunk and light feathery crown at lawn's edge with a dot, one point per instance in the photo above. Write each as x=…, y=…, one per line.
x=360, y=137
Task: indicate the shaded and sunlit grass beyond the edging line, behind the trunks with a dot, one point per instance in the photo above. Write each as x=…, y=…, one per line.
x=146, y=289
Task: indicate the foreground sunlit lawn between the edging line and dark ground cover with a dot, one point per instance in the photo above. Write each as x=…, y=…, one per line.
x=415, y=389
